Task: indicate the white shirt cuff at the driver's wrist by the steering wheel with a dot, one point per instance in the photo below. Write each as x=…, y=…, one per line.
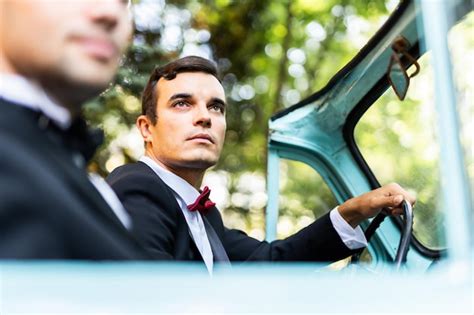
x=353, y=238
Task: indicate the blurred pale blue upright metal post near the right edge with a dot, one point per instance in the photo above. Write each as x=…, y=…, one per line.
x=455, y=196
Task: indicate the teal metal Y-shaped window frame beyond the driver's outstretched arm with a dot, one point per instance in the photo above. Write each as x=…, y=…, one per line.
x=314, y=133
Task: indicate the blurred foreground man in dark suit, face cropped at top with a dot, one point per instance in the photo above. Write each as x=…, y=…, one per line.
x=54, y=55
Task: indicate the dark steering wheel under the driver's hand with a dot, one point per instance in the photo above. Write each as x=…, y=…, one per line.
x=405, y=238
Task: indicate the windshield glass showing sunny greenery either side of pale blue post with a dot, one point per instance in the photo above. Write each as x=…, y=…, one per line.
x=398, y=138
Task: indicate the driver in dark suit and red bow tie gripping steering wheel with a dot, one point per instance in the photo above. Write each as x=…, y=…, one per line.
x=183, y=125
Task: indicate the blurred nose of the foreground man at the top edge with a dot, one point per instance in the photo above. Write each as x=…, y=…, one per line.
x=108, y=12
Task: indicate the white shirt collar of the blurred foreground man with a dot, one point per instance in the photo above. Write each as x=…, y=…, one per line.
x=29, y=94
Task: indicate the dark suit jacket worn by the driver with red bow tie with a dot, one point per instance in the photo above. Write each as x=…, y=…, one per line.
x=159, y=223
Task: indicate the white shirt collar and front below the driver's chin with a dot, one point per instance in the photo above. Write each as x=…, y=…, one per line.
x=185, y=195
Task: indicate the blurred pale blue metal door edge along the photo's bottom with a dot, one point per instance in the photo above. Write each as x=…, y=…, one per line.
x=154, y=288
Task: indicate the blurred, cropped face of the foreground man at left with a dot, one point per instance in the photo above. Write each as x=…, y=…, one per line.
x=73, y=44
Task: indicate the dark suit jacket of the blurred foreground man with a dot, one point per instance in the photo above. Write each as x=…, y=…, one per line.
x=48, y=207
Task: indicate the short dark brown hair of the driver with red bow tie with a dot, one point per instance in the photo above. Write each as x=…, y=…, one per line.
x=169, y=72
